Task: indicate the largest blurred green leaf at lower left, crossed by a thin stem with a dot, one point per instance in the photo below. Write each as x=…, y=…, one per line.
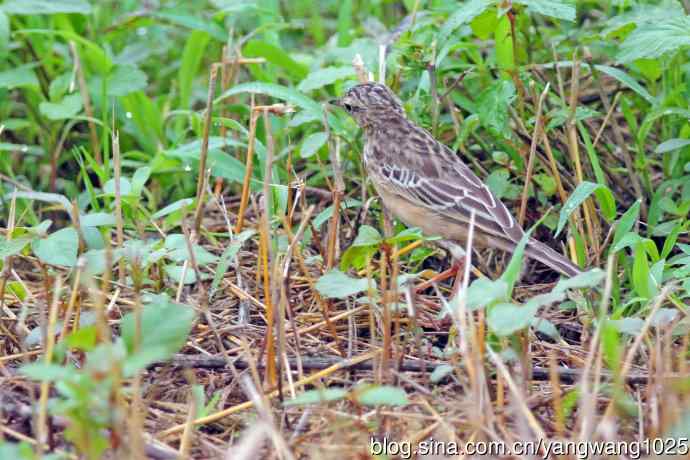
x=165, y=326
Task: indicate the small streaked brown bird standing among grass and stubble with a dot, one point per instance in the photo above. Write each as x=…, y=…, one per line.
x=423, y=183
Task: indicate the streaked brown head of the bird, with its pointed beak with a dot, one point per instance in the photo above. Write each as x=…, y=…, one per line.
x=370, y=104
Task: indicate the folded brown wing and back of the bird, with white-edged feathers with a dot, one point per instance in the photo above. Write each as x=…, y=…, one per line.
x=426, y=172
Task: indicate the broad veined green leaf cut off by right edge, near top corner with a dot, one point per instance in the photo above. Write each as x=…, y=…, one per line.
x=652, y=40
